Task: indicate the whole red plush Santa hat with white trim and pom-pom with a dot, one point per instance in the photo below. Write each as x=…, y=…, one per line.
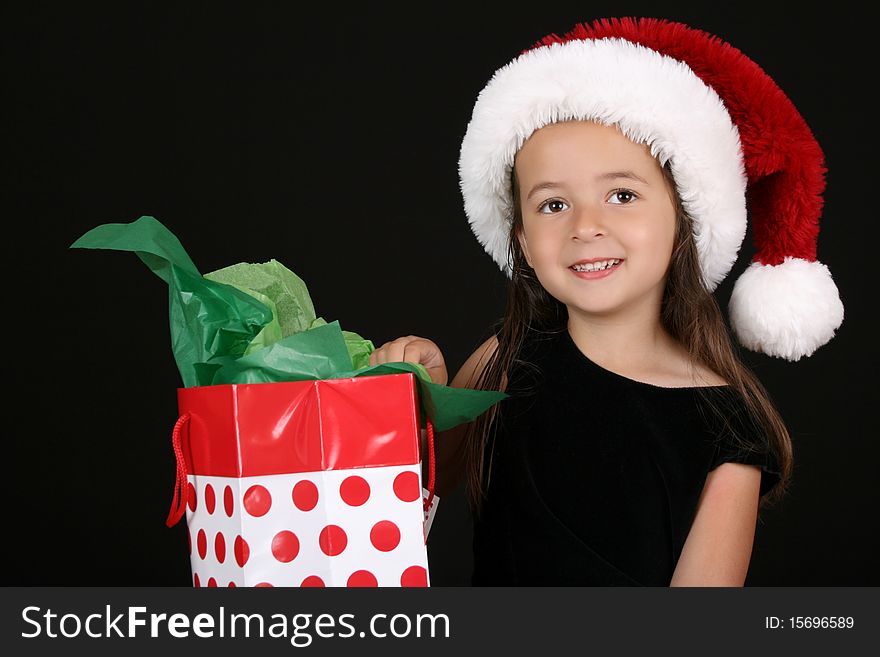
x=729, y=134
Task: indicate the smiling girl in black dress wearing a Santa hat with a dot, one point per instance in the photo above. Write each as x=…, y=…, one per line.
x=606, y=172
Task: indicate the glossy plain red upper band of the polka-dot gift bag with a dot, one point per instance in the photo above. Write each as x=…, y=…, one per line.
x=242, y=430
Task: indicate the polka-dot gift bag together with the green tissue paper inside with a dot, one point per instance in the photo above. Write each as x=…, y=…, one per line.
x=297, y=460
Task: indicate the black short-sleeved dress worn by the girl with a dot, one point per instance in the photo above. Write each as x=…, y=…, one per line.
x=594, y=478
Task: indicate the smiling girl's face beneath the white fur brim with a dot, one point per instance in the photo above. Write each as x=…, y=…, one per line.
x=587, y=192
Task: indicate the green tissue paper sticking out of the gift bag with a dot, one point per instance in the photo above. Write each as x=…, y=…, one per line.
x=255, y=323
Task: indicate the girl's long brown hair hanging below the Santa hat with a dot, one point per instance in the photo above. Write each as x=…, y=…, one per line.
x=689, y=312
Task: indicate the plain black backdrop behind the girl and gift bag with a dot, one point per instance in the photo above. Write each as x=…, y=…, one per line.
x=328, y=138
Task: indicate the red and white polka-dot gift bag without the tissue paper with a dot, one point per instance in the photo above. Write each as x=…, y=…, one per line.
x=305, y=483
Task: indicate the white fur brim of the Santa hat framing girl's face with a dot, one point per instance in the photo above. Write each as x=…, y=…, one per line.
x=653, y=99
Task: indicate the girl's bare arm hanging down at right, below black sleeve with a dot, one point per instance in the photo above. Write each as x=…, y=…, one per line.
x=719, y=545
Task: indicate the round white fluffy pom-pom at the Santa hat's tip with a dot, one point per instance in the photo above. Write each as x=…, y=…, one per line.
x=787, y=310
